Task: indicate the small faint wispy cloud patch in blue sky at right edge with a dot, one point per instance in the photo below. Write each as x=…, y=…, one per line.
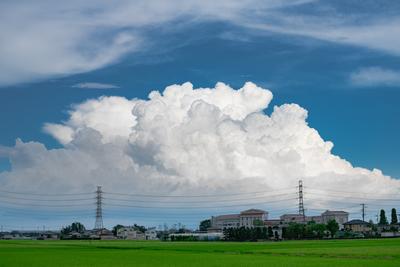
x=375, y=76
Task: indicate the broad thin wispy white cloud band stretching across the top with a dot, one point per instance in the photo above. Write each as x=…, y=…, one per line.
x=44, y=39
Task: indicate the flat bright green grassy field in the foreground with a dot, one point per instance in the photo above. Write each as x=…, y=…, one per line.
x=147, y=253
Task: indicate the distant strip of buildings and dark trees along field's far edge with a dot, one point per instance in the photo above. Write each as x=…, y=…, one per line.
x=248, y=225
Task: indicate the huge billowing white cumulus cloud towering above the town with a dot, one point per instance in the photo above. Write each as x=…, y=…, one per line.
x=184, y=140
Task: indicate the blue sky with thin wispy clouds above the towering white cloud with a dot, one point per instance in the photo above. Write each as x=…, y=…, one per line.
x=340, y=61
